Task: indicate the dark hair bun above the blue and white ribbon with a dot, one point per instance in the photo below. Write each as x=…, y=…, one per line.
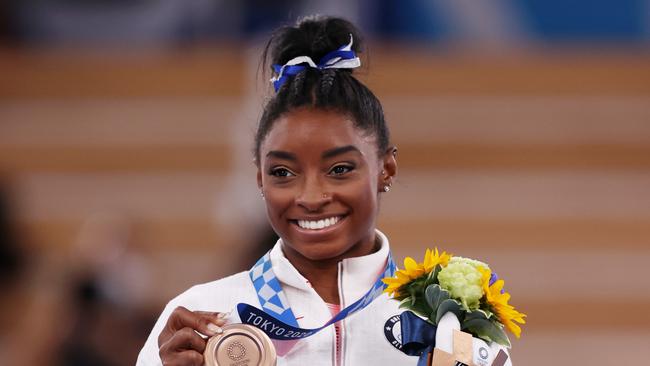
x=313, y=36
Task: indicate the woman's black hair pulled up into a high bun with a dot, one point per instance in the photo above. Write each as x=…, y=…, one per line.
x=328, y=89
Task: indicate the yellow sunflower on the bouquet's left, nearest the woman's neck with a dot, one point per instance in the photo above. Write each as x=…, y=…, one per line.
x=413, y=270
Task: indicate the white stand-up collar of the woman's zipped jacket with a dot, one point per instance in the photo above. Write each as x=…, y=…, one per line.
x=356, y=274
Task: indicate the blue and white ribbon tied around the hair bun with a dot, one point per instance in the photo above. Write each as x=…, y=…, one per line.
x=342, y=58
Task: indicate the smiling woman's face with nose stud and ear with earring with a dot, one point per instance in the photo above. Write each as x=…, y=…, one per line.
x=321, y=179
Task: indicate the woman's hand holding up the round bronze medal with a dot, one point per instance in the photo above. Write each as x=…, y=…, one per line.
x=180, y=344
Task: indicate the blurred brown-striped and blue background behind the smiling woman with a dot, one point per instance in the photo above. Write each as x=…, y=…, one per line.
x=126, y=171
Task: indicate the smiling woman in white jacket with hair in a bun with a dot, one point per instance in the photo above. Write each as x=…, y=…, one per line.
x=324, y=160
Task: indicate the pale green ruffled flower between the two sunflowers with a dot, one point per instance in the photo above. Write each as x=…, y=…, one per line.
x=462, y=279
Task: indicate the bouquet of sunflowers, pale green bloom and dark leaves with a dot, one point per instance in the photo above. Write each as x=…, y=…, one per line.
x=466, y=287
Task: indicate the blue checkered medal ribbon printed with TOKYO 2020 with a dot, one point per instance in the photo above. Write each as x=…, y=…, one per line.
x=277, y=319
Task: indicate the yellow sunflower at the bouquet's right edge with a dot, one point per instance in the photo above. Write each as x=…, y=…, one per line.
x=498, y=301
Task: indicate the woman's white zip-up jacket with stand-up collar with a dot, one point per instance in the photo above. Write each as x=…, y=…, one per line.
x=363, y=334
